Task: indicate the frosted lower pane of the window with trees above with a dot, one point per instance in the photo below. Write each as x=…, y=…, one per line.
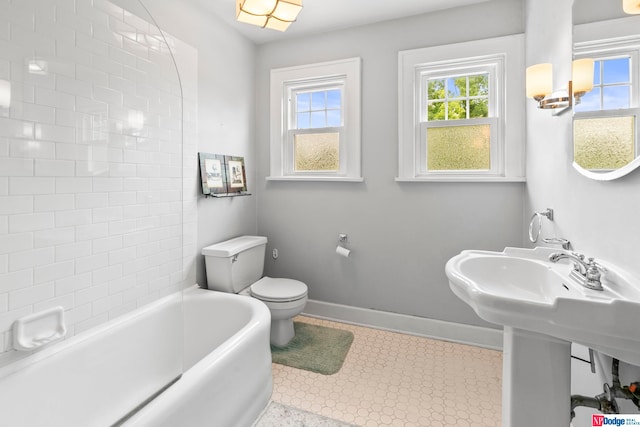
x=454, y=148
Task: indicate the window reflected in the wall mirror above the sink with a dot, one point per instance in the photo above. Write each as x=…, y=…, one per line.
x=606, y=119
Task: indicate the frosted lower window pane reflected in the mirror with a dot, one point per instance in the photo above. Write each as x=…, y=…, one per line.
x=604, y=143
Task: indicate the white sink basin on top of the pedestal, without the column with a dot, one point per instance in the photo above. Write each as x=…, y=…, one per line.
x=522, y=289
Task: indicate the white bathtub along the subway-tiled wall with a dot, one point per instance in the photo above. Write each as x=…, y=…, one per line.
x=220, y=376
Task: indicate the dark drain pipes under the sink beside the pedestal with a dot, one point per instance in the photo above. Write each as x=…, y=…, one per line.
x=606, y=402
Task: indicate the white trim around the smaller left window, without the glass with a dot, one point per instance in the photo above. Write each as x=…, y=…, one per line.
x=283, y=80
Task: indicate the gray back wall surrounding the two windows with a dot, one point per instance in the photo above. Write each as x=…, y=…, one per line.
x=401, y=234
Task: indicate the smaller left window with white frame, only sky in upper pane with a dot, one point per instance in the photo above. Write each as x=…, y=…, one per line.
x=315, y=122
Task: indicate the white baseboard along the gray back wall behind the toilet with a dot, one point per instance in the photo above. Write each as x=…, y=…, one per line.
x=421, y=326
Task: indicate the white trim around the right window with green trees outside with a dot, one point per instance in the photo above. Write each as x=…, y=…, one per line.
x=511, y=105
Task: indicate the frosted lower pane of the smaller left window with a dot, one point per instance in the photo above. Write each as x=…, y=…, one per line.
x=317, y=152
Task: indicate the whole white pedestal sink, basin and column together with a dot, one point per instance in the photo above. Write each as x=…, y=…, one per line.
x=543, y=310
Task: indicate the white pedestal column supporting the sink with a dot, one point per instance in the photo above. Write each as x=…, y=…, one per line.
x=536, y=380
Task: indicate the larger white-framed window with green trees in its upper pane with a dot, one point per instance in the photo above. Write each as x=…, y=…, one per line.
x=453, y=103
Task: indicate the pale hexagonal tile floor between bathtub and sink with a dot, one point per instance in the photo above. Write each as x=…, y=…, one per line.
x=393, y=379
